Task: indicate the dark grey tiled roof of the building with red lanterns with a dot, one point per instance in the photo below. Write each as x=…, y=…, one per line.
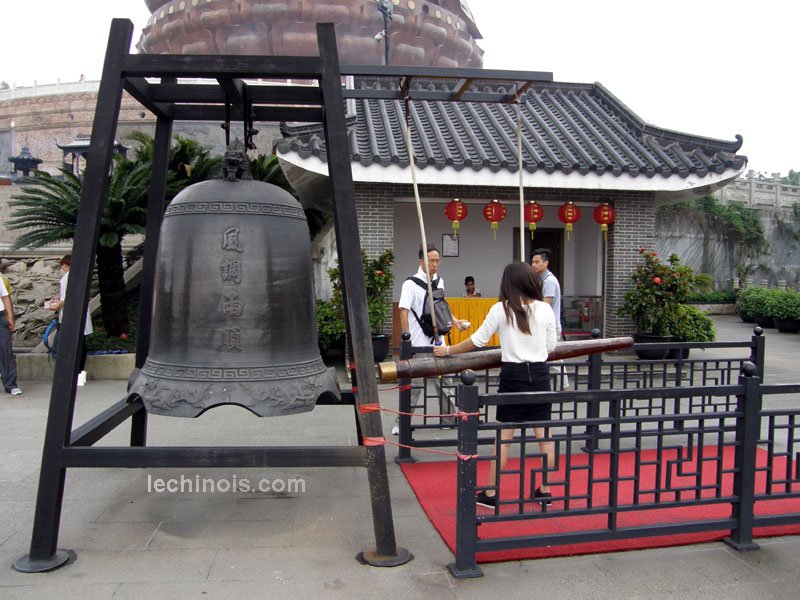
x=567, y=127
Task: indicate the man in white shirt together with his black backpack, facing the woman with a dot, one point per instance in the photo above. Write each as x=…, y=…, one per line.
x=415, y=318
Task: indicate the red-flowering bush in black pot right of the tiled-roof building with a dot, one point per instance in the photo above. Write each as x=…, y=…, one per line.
x=658, y=289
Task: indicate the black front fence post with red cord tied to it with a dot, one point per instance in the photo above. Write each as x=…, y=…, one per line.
x=466, y=519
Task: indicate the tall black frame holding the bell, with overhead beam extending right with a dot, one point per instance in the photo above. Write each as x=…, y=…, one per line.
x=231, y=98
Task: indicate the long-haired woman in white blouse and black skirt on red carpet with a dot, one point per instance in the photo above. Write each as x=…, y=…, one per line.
x=527, y=329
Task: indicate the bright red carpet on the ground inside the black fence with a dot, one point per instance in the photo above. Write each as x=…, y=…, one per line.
x=434, y=483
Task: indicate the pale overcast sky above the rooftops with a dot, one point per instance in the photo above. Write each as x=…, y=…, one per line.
x=705, y=67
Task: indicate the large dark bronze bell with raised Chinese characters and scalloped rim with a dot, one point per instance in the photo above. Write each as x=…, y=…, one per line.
x=233, y=307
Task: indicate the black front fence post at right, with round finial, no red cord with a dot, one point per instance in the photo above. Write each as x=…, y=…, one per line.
x=747, y=432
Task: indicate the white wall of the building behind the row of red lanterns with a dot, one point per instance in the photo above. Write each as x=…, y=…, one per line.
x=484, y=258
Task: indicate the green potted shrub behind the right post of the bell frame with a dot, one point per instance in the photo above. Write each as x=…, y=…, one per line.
x=378, y=281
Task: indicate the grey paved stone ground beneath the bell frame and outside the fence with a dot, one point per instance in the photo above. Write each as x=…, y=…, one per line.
x=132, y=542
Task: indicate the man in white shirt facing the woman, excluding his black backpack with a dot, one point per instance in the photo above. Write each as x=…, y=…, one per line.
x=412, y=300
